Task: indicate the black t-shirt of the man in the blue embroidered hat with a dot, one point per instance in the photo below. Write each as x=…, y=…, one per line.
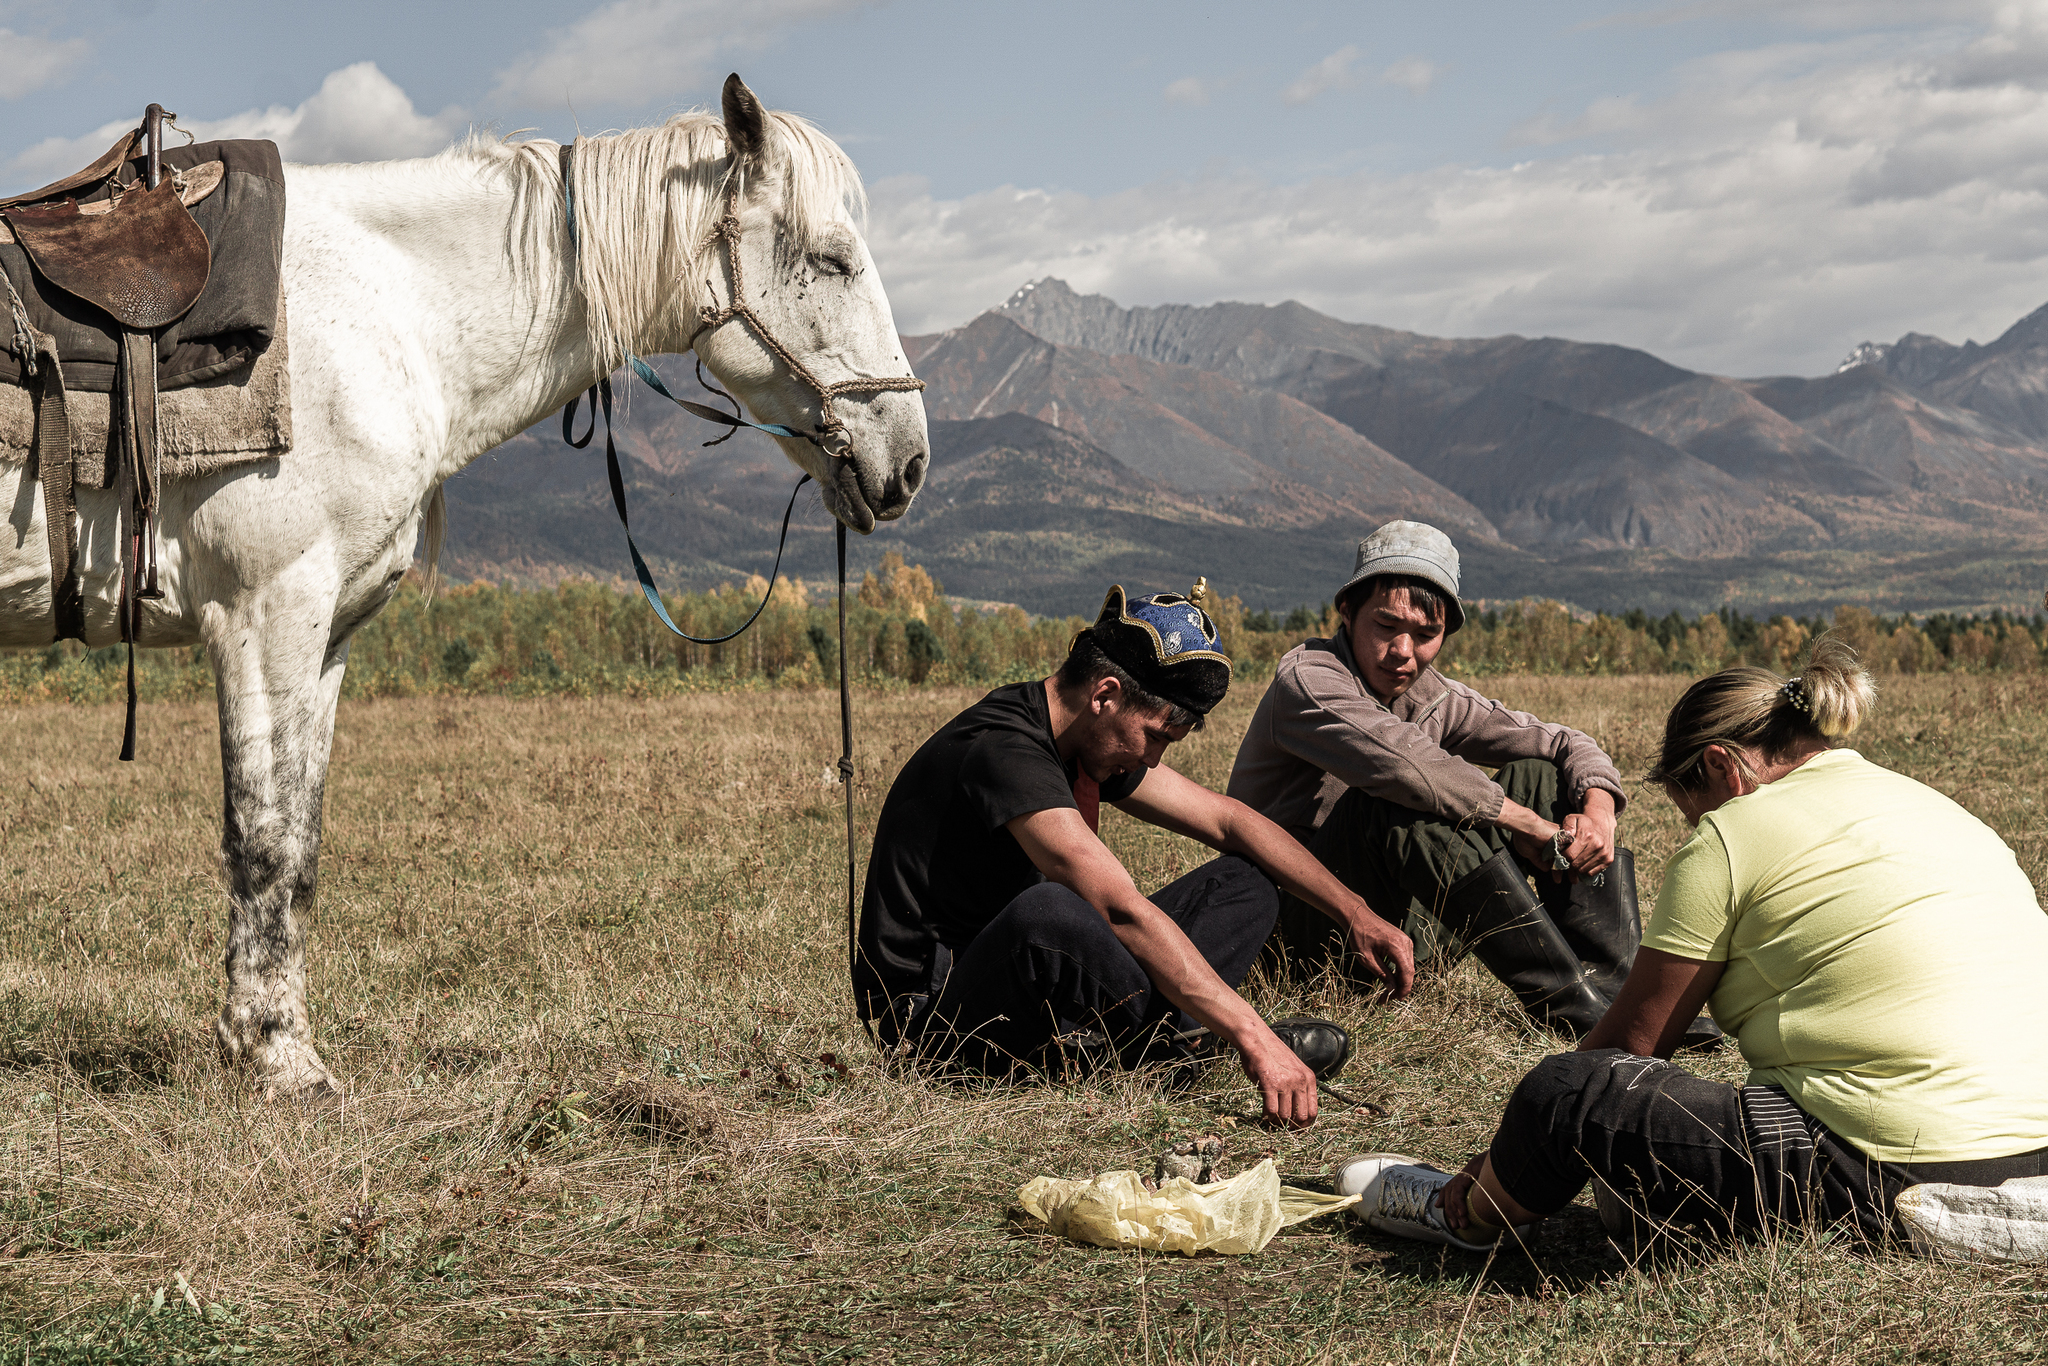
x=945, y=865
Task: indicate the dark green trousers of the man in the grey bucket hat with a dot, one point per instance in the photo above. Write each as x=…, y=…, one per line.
x=1400, y=861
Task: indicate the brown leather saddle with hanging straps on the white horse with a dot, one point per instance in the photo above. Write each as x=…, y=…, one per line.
x=142, y=261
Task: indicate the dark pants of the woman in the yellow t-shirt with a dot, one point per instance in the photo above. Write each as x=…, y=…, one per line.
x=1695, y=1152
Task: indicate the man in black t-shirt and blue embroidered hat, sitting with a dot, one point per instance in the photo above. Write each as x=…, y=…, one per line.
x=998, y=933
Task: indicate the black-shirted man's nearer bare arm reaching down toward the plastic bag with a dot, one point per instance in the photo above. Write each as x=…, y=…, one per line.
x=1068, y=853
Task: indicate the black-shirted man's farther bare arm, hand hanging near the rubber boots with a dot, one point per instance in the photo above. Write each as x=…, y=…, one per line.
x=1224, y=824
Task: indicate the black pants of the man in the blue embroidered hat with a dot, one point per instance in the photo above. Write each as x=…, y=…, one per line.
x=1050, y=968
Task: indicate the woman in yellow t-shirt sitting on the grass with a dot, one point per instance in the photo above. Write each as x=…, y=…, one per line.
x=1871, y=945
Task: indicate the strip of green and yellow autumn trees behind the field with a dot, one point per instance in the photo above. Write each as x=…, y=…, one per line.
x=902, y=632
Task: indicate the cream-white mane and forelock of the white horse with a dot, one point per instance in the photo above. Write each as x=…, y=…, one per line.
x=640, y=282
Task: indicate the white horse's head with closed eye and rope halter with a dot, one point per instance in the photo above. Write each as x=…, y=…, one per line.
x=796, y=316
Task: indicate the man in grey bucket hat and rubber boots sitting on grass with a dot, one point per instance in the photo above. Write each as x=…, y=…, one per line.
x=1373, y=761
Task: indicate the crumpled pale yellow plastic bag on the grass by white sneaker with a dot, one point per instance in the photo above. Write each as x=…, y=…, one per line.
x=1232, y=1218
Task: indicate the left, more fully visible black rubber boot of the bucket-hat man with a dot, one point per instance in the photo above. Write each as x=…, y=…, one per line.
x=1508, y=929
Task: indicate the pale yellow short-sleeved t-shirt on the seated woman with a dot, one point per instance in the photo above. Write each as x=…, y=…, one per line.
x=1887, y=959
